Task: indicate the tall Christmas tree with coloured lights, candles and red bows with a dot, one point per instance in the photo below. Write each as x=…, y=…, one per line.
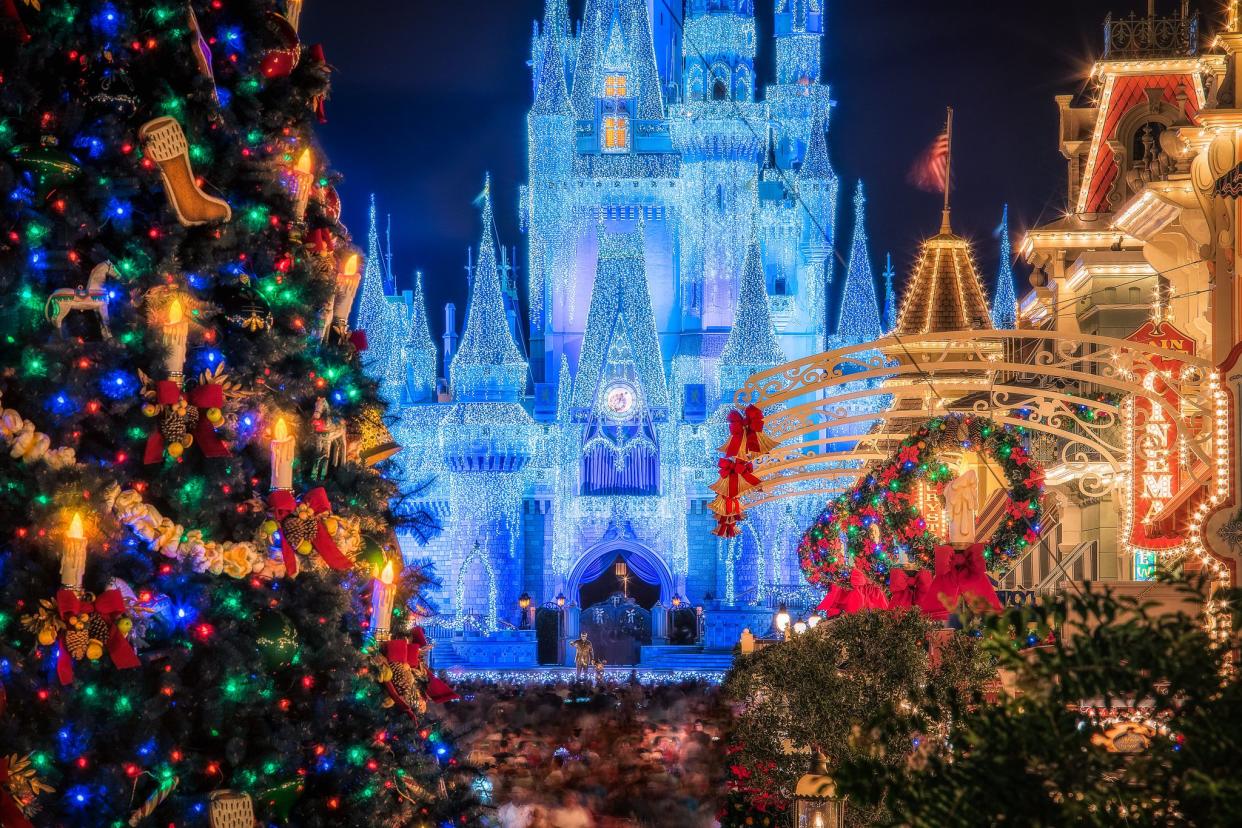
x=198, y=564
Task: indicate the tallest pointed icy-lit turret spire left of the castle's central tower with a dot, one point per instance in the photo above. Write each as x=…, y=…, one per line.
x=489, y=366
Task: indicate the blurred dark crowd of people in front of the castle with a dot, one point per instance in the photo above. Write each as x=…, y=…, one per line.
x=594, y=755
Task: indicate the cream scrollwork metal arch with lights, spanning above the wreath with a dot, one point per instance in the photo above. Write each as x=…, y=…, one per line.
x=1030, y=379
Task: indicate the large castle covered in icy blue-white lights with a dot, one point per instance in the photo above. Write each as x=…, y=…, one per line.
x=680, y=234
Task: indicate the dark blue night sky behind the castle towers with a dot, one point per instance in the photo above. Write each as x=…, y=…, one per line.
x=432, y=95
